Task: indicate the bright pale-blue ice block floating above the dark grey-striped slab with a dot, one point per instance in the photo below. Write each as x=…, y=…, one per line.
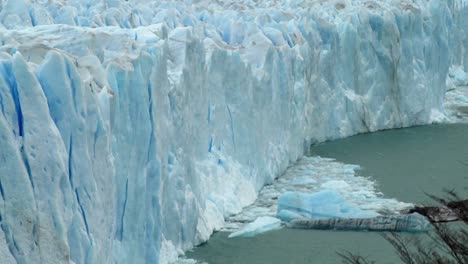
x=321, y=205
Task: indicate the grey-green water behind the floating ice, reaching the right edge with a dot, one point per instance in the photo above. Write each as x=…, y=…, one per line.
x=408, y=163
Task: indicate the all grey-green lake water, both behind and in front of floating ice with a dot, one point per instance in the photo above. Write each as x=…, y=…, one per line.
x=406, y=164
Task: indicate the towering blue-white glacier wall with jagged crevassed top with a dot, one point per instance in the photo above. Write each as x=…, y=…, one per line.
x=131, y=143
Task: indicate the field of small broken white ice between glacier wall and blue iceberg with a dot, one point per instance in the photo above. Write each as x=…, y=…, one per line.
x=312, y=175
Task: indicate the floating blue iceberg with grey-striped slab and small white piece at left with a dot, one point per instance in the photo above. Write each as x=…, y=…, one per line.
x=328, y=210
